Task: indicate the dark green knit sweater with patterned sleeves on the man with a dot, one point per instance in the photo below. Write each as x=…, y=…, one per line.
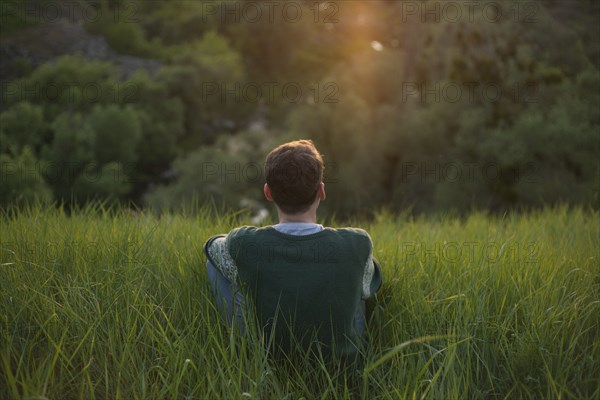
x=312, y=284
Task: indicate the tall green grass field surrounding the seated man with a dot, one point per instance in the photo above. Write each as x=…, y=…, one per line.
x=116, y=305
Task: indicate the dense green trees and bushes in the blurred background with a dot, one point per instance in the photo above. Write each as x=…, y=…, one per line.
x=484, y=109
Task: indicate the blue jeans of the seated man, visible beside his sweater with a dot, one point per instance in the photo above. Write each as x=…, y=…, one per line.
x=231, y=301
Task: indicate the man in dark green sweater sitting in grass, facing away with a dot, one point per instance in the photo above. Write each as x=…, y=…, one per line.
x=307, y=283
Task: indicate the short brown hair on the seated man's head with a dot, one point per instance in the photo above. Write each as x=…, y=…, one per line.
x=294, y=172
